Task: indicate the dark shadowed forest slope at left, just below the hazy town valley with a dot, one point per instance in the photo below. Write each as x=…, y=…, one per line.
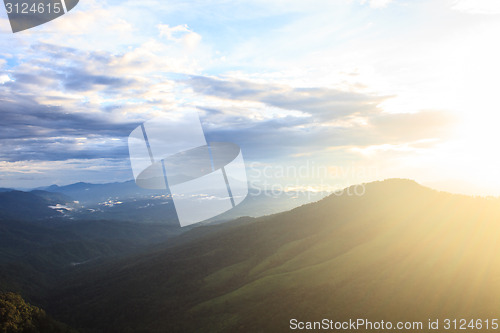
x=33, y=257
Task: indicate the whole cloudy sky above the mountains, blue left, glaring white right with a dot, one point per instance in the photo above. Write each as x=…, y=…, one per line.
x=318, y=94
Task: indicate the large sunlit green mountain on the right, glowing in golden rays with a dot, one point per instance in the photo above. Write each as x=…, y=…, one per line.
x=400, y=252
